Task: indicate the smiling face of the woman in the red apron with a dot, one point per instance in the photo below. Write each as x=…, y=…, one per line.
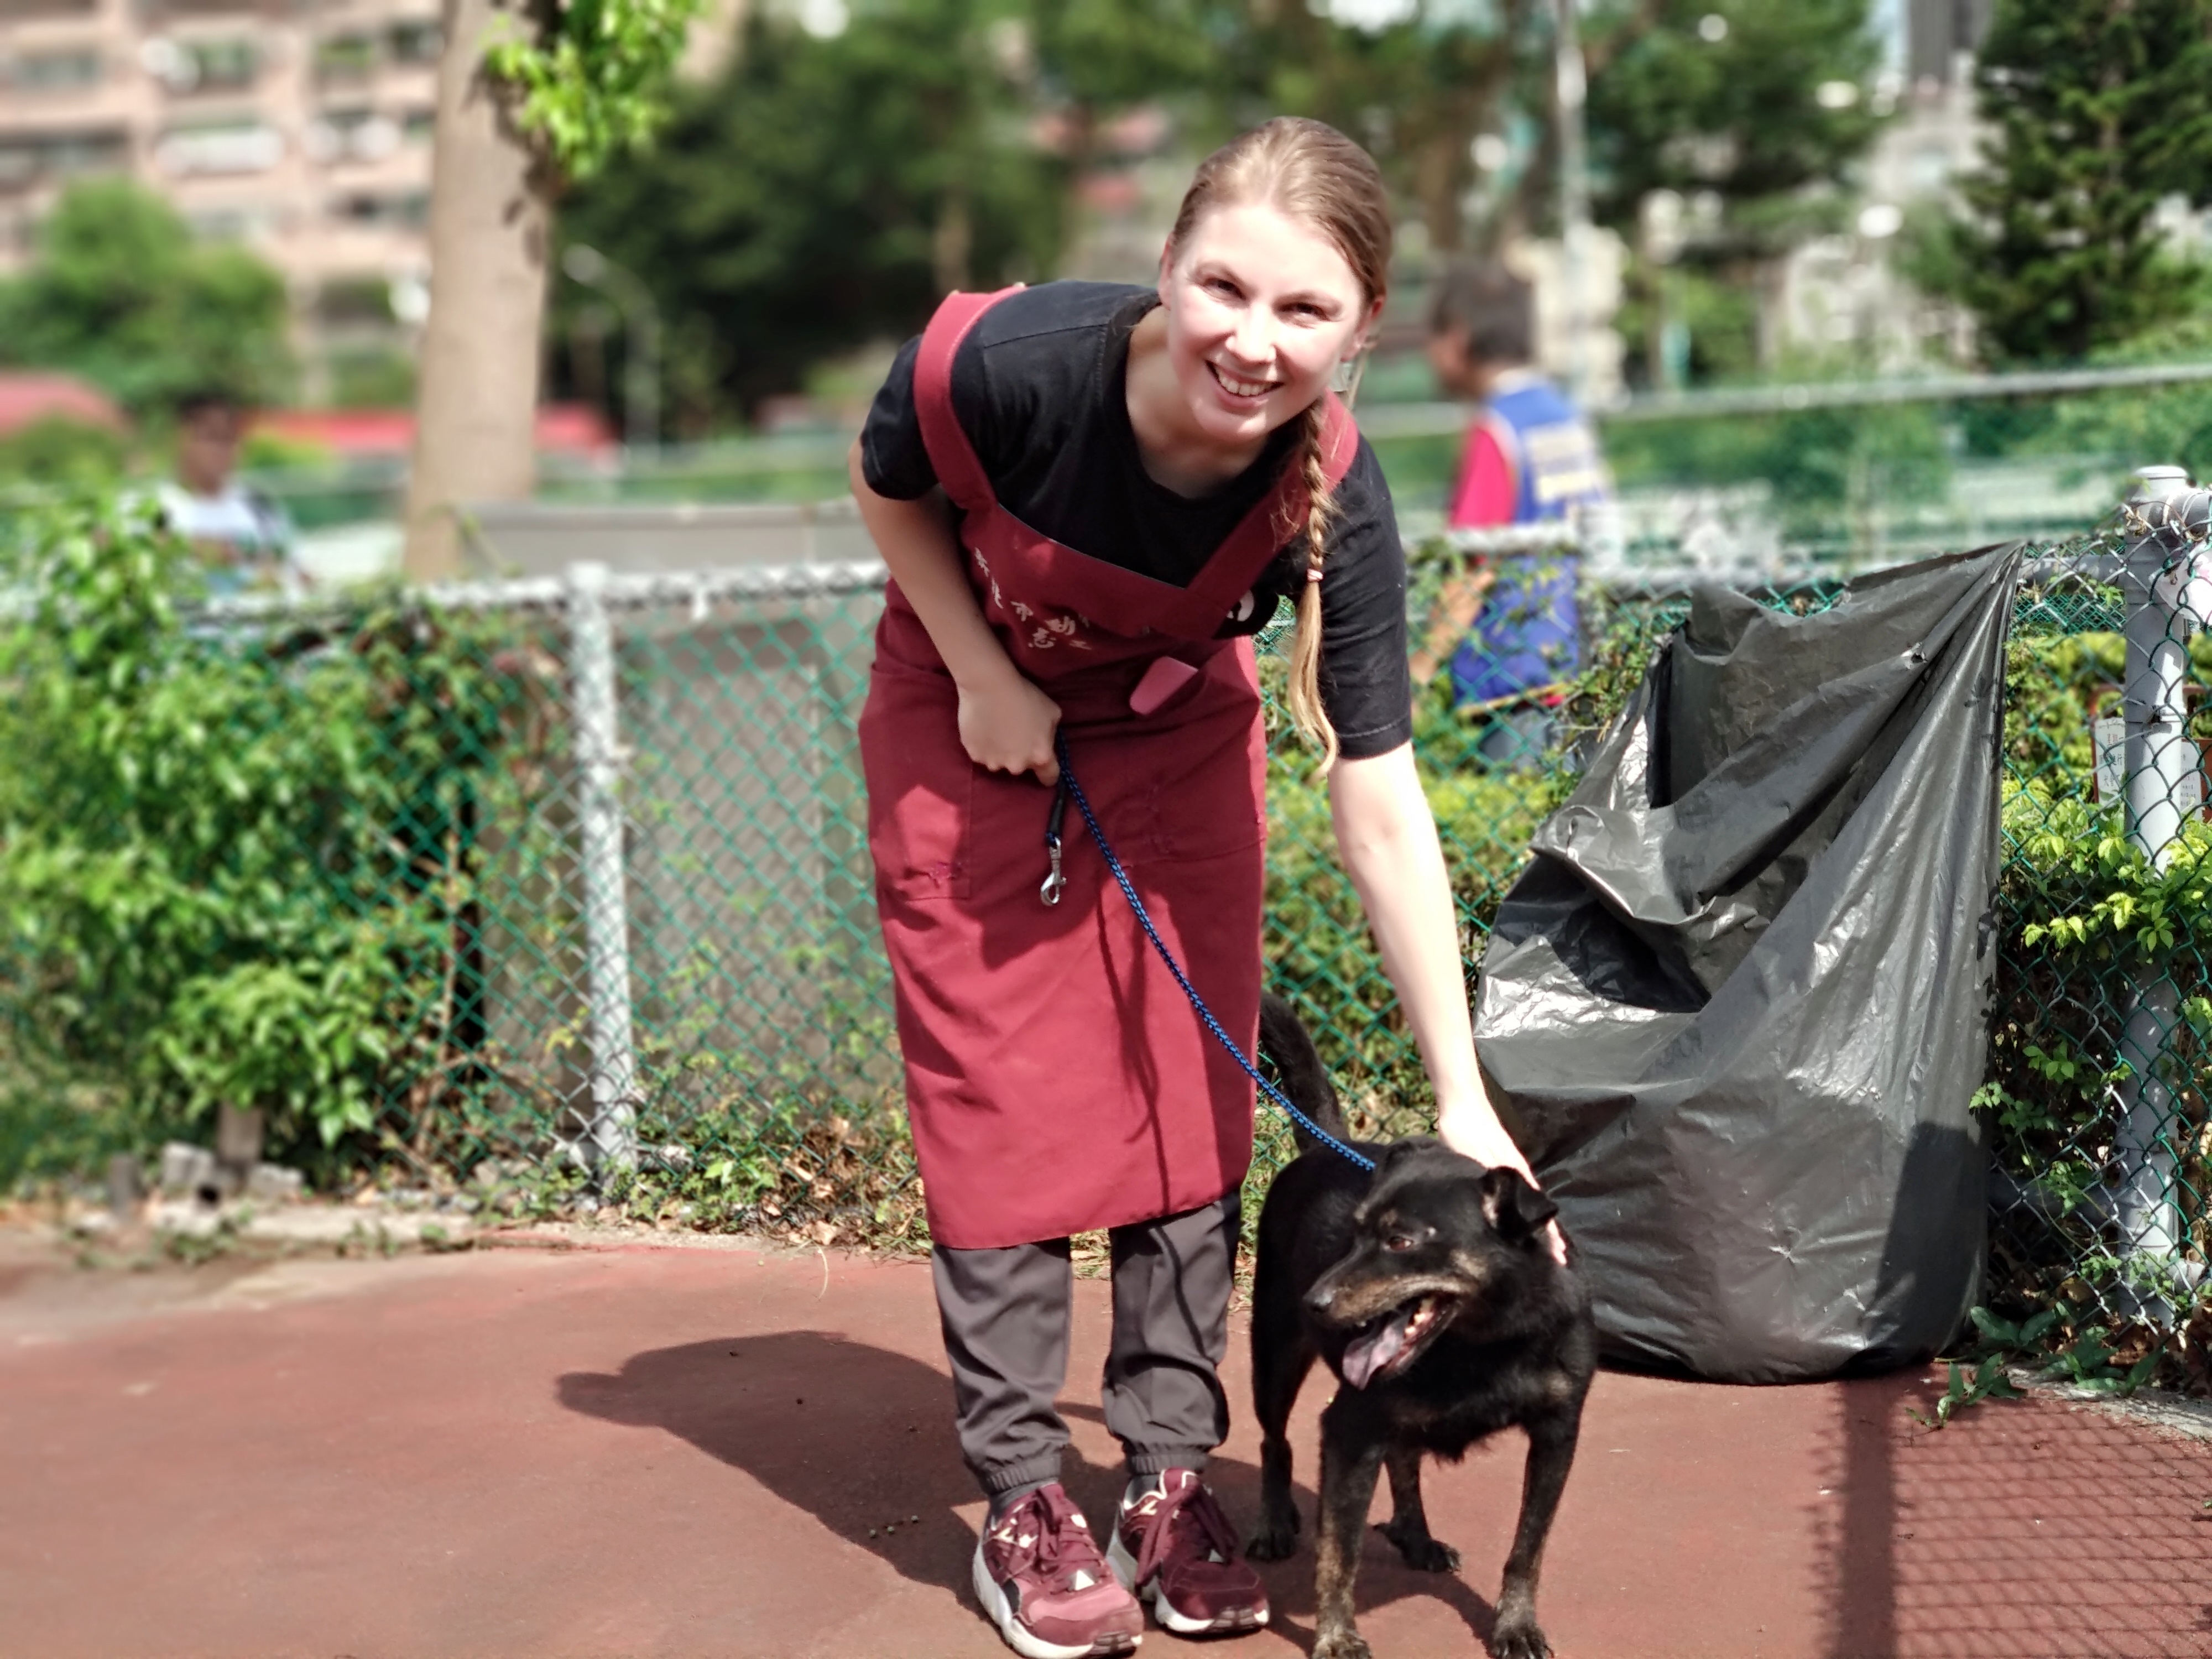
x=1262, y=309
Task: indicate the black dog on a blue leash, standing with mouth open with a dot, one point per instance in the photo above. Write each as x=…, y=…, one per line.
x=1432, y=1293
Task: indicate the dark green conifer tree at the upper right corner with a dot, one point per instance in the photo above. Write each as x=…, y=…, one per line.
x=2100, y=112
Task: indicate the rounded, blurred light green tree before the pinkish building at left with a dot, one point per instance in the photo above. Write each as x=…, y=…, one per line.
x=125, y=298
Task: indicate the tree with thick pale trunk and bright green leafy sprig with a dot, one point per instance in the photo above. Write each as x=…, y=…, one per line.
x=530, y=98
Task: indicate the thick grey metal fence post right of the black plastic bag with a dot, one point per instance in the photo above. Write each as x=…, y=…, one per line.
x=2162, y=780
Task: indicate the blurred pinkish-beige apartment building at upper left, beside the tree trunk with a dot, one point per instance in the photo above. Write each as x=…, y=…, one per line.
x=298, y=127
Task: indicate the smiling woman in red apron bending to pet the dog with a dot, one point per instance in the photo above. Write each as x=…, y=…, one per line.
x=1089, y=499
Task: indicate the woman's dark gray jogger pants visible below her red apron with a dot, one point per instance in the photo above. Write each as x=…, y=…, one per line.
x=1008, y=1335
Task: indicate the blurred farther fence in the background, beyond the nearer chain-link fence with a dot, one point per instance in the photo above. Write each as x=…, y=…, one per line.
x=1846, y=470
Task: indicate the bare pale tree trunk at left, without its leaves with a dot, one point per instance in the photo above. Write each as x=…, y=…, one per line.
x=490, y=227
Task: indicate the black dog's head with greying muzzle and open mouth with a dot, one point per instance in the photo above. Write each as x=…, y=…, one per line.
x=1439, y=1240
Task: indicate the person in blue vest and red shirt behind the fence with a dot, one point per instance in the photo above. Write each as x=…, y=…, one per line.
x=1507, y=627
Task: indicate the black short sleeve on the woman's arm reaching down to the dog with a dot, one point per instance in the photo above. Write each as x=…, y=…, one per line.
x=1366, y=685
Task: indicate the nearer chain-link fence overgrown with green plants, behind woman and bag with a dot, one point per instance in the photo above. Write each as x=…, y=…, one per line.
x=561, y=888
